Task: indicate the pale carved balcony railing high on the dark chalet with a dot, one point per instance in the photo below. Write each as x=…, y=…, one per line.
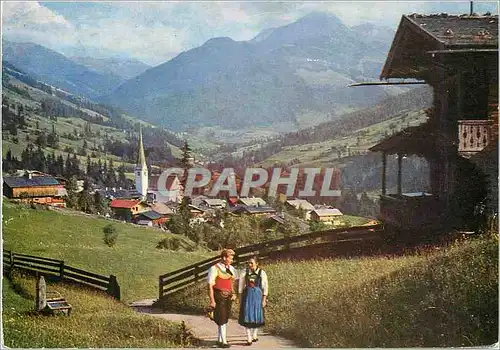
x=474, y=136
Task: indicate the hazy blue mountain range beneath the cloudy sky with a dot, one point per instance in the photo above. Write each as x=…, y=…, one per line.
x=277, y=77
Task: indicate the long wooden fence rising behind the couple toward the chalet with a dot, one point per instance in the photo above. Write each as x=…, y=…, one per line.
x=177, y=280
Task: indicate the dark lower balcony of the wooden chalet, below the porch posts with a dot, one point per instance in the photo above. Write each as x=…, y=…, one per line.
x=411, y=211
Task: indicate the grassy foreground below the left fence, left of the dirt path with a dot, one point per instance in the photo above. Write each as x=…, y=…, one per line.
x=96, y=321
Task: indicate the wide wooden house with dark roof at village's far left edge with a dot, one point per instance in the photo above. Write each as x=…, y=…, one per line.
x=34, y=188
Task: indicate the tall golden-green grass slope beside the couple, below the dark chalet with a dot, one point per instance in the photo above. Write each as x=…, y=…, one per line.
x=441, y=298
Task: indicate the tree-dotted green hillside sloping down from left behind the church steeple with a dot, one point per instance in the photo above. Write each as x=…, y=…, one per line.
x=47, y=129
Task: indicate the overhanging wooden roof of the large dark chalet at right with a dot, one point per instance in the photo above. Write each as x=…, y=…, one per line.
x=420, y=37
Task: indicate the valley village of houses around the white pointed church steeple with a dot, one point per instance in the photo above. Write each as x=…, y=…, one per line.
x=147, y=205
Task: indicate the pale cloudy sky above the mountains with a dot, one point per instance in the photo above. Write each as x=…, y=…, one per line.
x=154, y=32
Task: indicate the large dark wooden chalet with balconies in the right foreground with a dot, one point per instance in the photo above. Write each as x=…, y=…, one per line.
x=458, y=57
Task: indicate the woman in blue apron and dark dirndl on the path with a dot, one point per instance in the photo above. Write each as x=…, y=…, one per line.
x=253, y=288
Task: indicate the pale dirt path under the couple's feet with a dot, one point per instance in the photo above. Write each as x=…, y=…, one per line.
x=206, y=330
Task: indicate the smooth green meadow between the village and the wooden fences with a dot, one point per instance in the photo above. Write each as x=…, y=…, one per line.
x=78, y=240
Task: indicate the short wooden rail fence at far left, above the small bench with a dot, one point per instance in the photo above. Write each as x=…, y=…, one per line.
x=58, y=270
